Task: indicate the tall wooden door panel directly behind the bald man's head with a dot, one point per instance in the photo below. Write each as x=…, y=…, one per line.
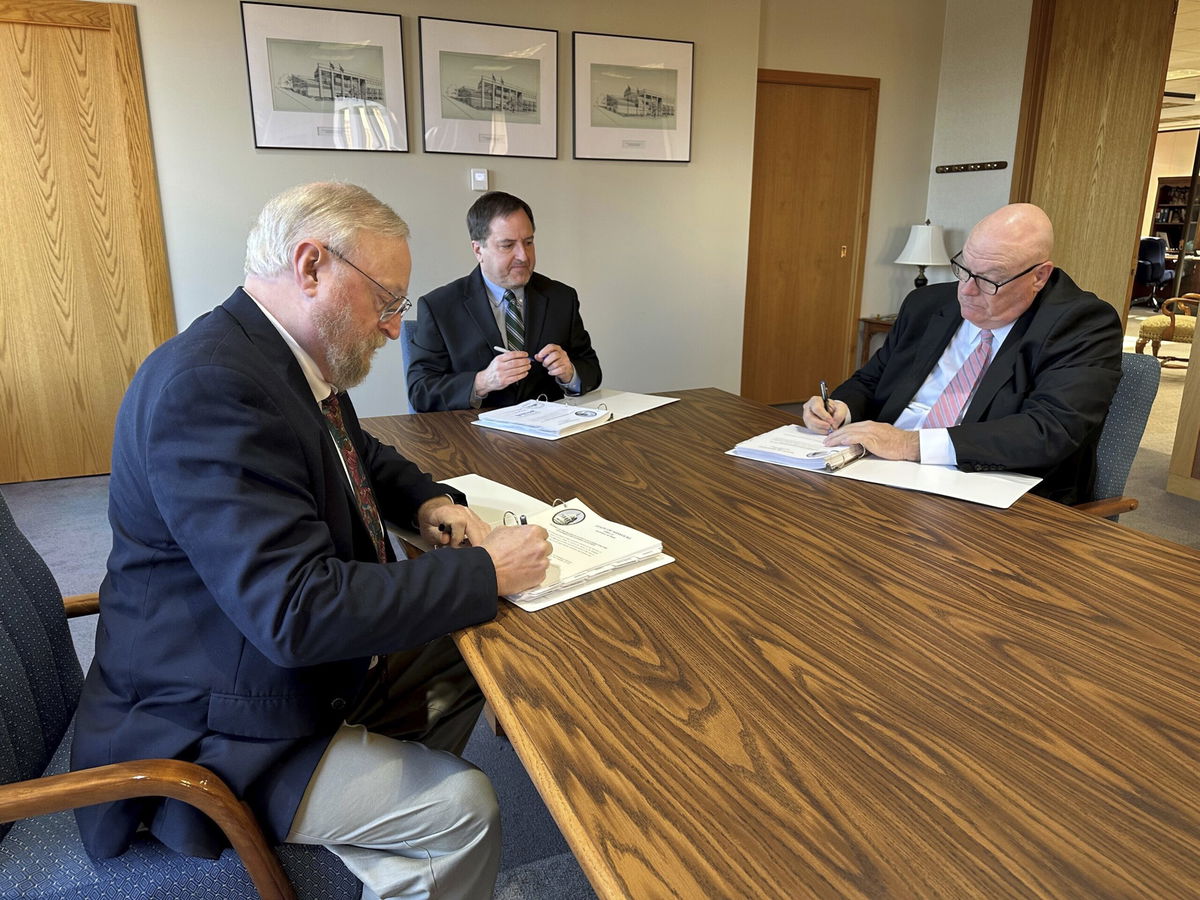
x=1085, y=146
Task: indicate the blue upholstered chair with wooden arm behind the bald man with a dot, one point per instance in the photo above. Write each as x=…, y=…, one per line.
x=1121, y=436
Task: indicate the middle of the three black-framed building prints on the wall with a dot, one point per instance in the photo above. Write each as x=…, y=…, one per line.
x=489, y=91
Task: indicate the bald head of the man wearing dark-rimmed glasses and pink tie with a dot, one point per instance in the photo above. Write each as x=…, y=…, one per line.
x=1010, y=248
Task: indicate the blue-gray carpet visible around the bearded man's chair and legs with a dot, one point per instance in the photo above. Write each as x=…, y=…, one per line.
x=68, y=523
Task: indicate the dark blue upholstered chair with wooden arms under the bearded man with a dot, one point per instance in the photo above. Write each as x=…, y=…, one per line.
x=41, y=853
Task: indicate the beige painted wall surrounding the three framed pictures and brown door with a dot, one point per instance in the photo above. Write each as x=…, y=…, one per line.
x=657, y=250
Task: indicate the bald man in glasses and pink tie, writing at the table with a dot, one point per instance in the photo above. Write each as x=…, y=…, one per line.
x=1012, y=368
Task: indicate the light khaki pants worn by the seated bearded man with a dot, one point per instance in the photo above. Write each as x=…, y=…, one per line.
x=391, y=796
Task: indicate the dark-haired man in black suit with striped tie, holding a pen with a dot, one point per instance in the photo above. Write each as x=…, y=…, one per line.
x=503, y=334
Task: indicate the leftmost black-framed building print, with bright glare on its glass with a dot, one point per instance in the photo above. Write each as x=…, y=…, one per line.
x=326, y=80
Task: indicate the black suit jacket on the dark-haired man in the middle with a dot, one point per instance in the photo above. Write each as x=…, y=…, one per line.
x=457, y=333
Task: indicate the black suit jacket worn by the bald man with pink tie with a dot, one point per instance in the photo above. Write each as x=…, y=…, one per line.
x=1043, y=399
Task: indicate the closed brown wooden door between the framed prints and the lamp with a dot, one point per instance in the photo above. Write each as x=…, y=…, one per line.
x=814, y=151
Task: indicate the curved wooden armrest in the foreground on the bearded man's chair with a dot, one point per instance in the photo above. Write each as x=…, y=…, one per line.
x=181, y=781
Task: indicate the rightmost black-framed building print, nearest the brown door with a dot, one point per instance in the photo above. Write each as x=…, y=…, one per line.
x=632, y=98
